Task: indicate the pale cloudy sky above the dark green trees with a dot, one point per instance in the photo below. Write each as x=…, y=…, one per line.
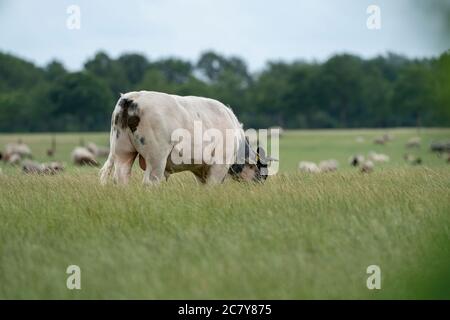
x=257, y=30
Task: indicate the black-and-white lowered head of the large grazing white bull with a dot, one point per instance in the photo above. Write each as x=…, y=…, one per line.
x=255, y=167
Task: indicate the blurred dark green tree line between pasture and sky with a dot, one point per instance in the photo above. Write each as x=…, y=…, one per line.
x=346, y=91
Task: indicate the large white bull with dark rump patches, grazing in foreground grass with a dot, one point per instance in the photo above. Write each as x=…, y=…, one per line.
x=143, y=123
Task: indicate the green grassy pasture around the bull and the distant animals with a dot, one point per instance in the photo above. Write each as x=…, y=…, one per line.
x=298, y=236
